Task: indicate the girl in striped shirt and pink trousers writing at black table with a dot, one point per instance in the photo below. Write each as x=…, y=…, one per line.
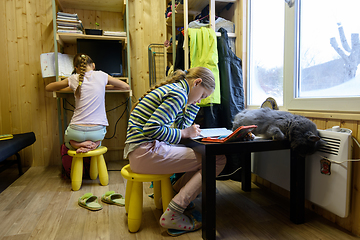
x=158, y=122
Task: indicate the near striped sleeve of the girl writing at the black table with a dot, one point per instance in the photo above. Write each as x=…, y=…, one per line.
x=159, y=124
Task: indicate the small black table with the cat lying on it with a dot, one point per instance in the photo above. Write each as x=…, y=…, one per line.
x=244, y=149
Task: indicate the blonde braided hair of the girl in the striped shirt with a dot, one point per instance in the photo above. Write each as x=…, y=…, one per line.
x=206, y=75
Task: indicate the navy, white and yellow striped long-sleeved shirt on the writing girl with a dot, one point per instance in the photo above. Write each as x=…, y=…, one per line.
x=154, y=116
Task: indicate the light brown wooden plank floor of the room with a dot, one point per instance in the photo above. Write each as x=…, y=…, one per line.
x=40, y=205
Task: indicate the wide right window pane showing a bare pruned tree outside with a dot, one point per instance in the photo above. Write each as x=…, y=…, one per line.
x=329, y=49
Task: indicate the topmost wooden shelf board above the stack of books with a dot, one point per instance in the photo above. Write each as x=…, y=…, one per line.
x=109, y=5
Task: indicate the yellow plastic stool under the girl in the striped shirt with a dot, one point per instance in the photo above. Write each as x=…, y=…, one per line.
x=134, y=194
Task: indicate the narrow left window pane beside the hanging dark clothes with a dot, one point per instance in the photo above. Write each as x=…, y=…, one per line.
x=266, y=45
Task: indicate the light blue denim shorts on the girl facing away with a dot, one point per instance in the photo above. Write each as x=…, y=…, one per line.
x=82, y=133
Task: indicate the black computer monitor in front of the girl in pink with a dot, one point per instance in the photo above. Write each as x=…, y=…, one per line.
x=106, y=54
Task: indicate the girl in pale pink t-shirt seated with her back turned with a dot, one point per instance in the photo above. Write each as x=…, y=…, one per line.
x=87, y=127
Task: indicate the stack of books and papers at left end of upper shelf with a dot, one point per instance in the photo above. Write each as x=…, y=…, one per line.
x=69, y=23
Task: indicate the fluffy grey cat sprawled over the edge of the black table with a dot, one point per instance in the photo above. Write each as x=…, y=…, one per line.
x=279, y=125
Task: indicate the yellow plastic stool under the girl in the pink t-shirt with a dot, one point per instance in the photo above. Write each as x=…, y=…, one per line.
x=97, y=167
